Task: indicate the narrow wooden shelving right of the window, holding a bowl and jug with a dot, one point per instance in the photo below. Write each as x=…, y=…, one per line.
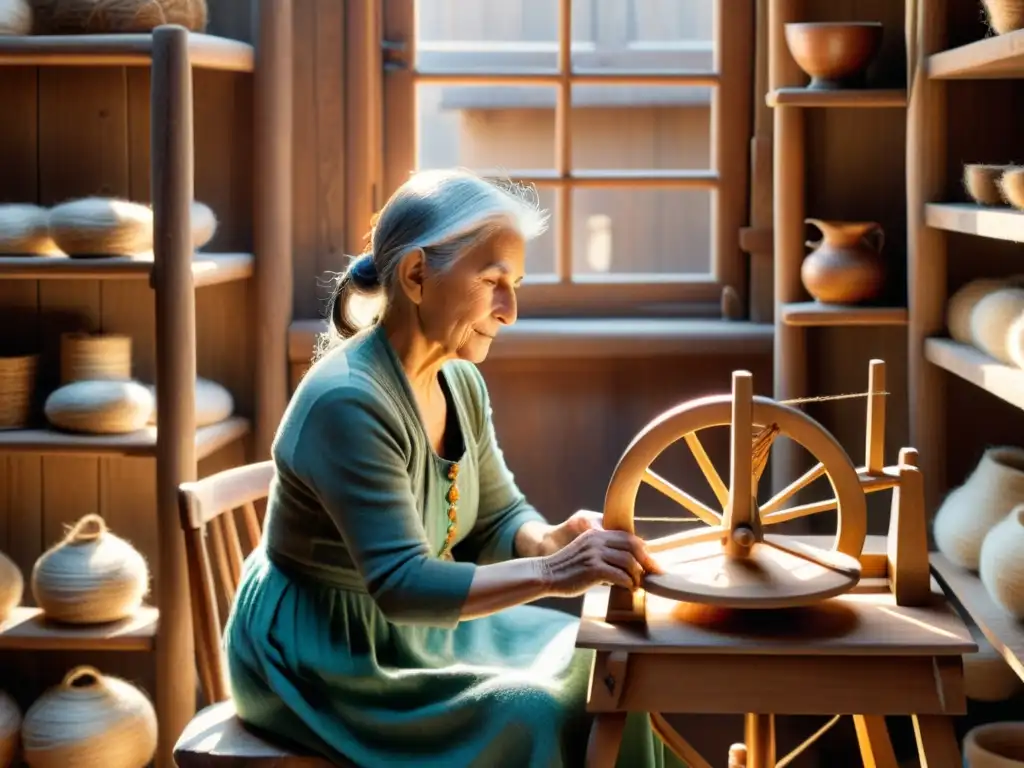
x=795, y=315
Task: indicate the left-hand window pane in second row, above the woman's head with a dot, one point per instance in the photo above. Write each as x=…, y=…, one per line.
x=482, y=127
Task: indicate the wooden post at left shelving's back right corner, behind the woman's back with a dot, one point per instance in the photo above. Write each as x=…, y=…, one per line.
x=272, y=216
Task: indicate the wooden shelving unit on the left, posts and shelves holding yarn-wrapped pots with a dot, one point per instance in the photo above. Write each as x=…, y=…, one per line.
x=176, y=273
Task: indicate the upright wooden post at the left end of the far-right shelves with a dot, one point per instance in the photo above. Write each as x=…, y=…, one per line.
x=926, y=172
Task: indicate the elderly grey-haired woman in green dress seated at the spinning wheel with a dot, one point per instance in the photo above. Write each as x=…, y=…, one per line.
x=383, y=620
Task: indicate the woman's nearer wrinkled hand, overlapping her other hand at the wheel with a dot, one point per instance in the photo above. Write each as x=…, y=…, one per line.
x=598, y=558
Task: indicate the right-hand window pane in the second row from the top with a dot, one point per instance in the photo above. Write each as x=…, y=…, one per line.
x=641, y=129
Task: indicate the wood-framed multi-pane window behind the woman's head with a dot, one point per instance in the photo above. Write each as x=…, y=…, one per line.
x=631, y=117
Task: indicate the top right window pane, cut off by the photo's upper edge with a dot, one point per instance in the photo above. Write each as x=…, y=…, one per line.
x=644, y=35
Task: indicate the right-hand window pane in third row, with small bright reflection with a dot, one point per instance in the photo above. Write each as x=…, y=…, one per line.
x=637, y=232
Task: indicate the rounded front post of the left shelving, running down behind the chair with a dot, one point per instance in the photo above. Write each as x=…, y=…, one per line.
x=173, y=174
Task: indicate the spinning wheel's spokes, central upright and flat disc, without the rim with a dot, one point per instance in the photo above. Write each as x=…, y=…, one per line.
x=733, y=562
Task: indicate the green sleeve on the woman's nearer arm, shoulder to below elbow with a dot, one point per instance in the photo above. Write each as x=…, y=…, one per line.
x=353, y=454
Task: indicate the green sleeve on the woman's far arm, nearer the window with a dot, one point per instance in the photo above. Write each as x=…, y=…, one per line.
x=503, y=508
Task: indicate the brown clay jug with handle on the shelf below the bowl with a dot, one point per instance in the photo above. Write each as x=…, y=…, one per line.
x=845, y=268
